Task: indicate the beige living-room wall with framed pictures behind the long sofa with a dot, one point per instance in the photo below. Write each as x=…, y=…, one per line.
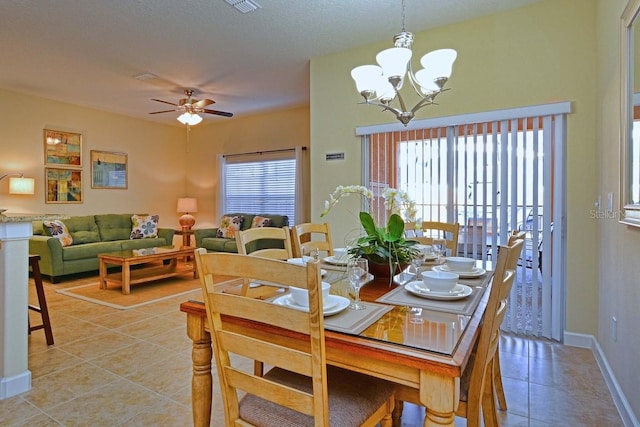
x=156, y=157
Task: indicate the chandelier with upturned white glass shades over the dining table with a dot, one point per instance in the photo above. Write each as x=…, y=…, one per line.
x=380, y=84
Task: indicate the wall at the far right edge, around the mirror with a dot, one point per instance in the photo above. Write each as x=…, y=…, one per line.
x=619, y=291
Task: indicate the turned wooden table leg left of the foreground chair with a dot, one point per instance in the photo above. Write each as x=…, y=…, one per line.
x=201, y=380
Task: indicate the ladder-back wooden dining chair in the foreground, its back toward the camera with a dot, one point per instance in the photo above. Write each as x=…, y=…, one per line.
x=300, y=389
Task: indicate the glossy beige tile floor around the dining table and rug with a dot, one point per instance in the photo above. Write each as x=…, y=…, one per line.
x=110, y=367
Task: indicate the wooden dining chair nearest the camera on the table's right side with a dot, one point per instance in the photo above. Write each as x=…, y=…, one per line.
x=477, y=399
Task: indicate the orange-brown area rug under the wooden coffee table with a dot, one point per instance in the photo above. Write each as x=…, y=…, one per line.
x=141, y=294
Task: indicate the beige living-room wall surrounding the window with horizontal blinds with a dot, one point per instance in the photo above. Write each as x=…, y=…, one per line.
x=268, y=131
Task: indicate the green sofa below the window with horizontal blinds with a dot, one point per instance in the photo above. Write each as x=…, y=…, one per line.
x=207, y=237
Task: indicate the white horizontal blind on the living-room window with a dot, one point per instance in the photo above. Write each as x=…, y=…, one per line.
x=260, y=186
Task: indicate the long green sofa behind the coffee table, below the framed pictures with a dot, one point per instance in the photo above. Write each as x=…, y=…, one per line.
x=92, y=235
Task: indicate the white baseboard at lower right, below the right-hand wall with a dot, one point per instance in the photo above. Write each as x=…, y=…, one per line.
x=621, y=402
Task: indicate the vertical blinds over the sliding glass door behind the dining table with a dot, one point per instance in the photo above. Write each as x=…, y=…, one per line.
x=491, y=173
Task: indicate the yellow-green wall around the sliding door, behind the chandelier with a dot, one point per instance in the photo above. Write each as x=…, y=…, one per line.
x=537, y=54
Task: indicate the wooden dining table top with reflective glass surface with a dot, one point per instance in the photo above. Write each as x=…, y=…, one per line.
x=395, y=335
